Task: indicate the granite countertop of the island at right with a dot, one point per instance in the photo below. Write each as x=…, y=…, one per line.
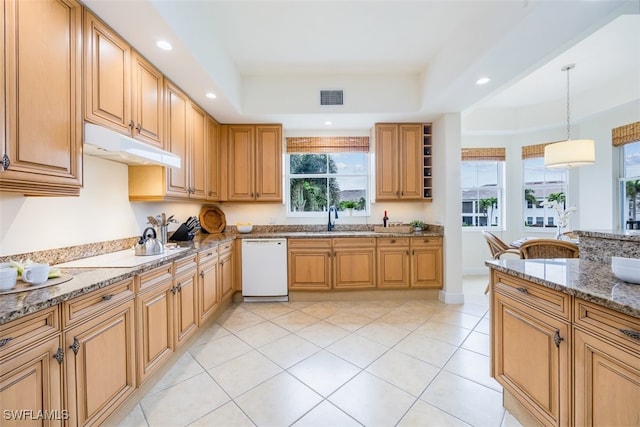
x=589, y=280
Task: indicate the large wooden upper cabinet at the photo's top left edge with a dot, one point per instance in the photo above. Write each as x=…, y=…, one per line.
x=41, y=78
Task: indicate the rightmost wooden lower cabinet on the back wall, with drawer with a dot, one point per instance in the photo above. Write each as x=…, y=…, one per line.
x=426, y=262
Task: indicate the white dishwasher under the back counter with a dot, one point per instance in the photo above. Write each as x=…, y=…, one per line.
x=264, y=270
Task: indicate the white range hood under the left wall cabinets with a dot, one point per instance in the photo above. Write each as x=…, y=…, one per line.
x=105, y=143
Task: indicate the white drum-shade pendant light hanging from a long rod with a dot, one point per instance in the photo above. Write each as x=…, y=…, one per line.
x=572, y=152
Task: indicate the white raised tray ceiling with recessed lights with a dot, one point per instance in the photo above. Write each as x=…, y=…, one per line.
x=395, y=60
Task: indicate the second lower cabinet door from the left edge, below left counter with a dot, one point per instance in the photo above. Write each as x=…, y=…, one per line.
x=100, y=365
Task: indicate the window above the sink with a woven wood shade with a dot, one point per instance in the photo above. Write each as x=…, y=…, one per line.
x=318, y=178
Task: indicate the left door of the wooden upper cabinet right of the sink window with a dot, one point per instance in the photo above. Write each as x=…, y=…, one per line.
x=387, y=150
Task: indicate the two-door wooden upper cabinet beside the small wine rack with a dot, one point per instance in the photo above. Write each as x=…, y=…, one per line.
x=399, y=161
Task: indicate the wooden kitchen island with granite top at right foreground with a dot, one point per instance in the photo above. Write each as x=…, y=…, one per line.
x=565, y=341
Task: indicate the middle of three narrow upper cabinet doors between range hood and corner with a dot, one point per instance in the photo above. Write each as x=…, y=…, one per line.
x=198, y=151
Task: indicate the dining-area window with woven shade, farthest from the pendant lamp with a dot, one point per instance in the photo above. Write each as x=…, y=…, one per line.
x=482, y=187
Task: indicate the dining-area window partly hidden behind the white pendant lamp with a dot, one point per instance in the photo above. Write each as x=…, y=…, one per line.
x=540, y=185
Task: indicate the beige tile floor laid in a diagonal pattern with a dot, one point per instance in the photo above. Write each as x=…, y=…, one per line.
x=371, y=363
